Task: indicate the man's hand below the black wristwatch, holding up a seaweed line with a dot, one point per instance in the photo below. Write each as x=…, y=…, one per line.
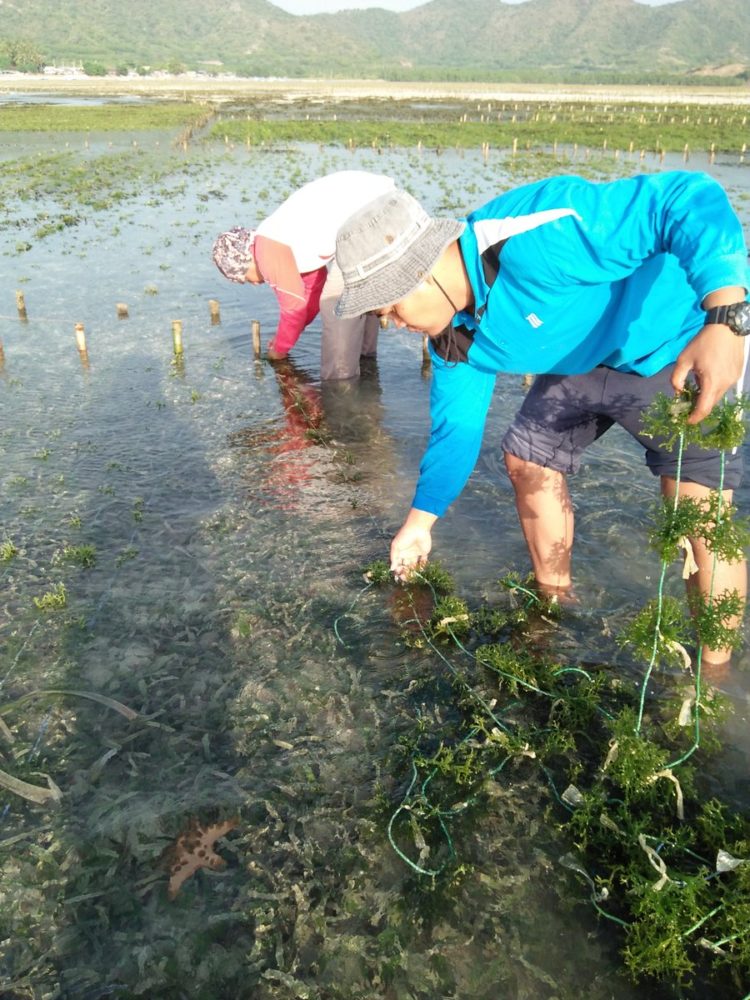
x=716, y=358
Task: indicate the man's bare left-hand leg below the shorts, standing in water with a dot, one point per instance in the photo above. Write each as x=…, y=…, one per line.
x=546, y=516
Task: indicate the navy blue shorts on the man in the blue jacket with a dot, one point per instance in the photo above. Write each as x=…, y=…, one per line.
x=563, y=414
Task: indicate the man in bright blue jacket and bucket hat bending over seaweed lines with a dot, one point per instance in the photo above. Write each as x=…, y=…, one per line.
x=610, y=292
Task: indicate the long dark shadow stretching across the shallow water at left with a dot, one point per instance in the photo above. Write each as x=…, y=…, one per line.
x=145, y=627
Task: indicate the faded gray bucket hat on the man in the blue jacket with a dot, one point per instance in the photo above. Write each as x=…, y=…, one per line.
x=386, y=249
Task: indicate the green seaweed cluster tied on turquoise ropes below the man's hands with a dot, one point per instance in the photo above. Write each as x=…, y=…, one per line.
x=625, y=764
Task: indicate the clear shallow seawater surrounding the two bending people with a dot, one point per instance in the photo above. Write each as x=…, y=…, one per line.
x=229, y=508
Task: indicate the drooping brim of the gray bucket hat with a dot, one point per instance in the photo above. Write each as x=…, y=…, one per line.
x=400, y=278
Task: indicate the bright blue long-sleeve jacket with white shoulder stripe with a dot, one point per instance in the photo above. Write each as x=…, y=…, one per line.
x=569, y=274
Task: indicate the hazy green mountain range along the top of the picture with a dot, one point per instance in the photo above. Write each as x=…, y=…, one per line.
x=442, y=39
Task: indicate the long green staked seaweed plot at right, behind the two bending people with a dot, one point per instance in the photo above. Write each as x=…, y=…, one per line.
x=621, y=128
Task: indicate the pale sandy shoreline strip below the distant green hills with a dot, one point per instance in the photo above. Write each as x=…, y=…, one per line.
x=226, y=88
